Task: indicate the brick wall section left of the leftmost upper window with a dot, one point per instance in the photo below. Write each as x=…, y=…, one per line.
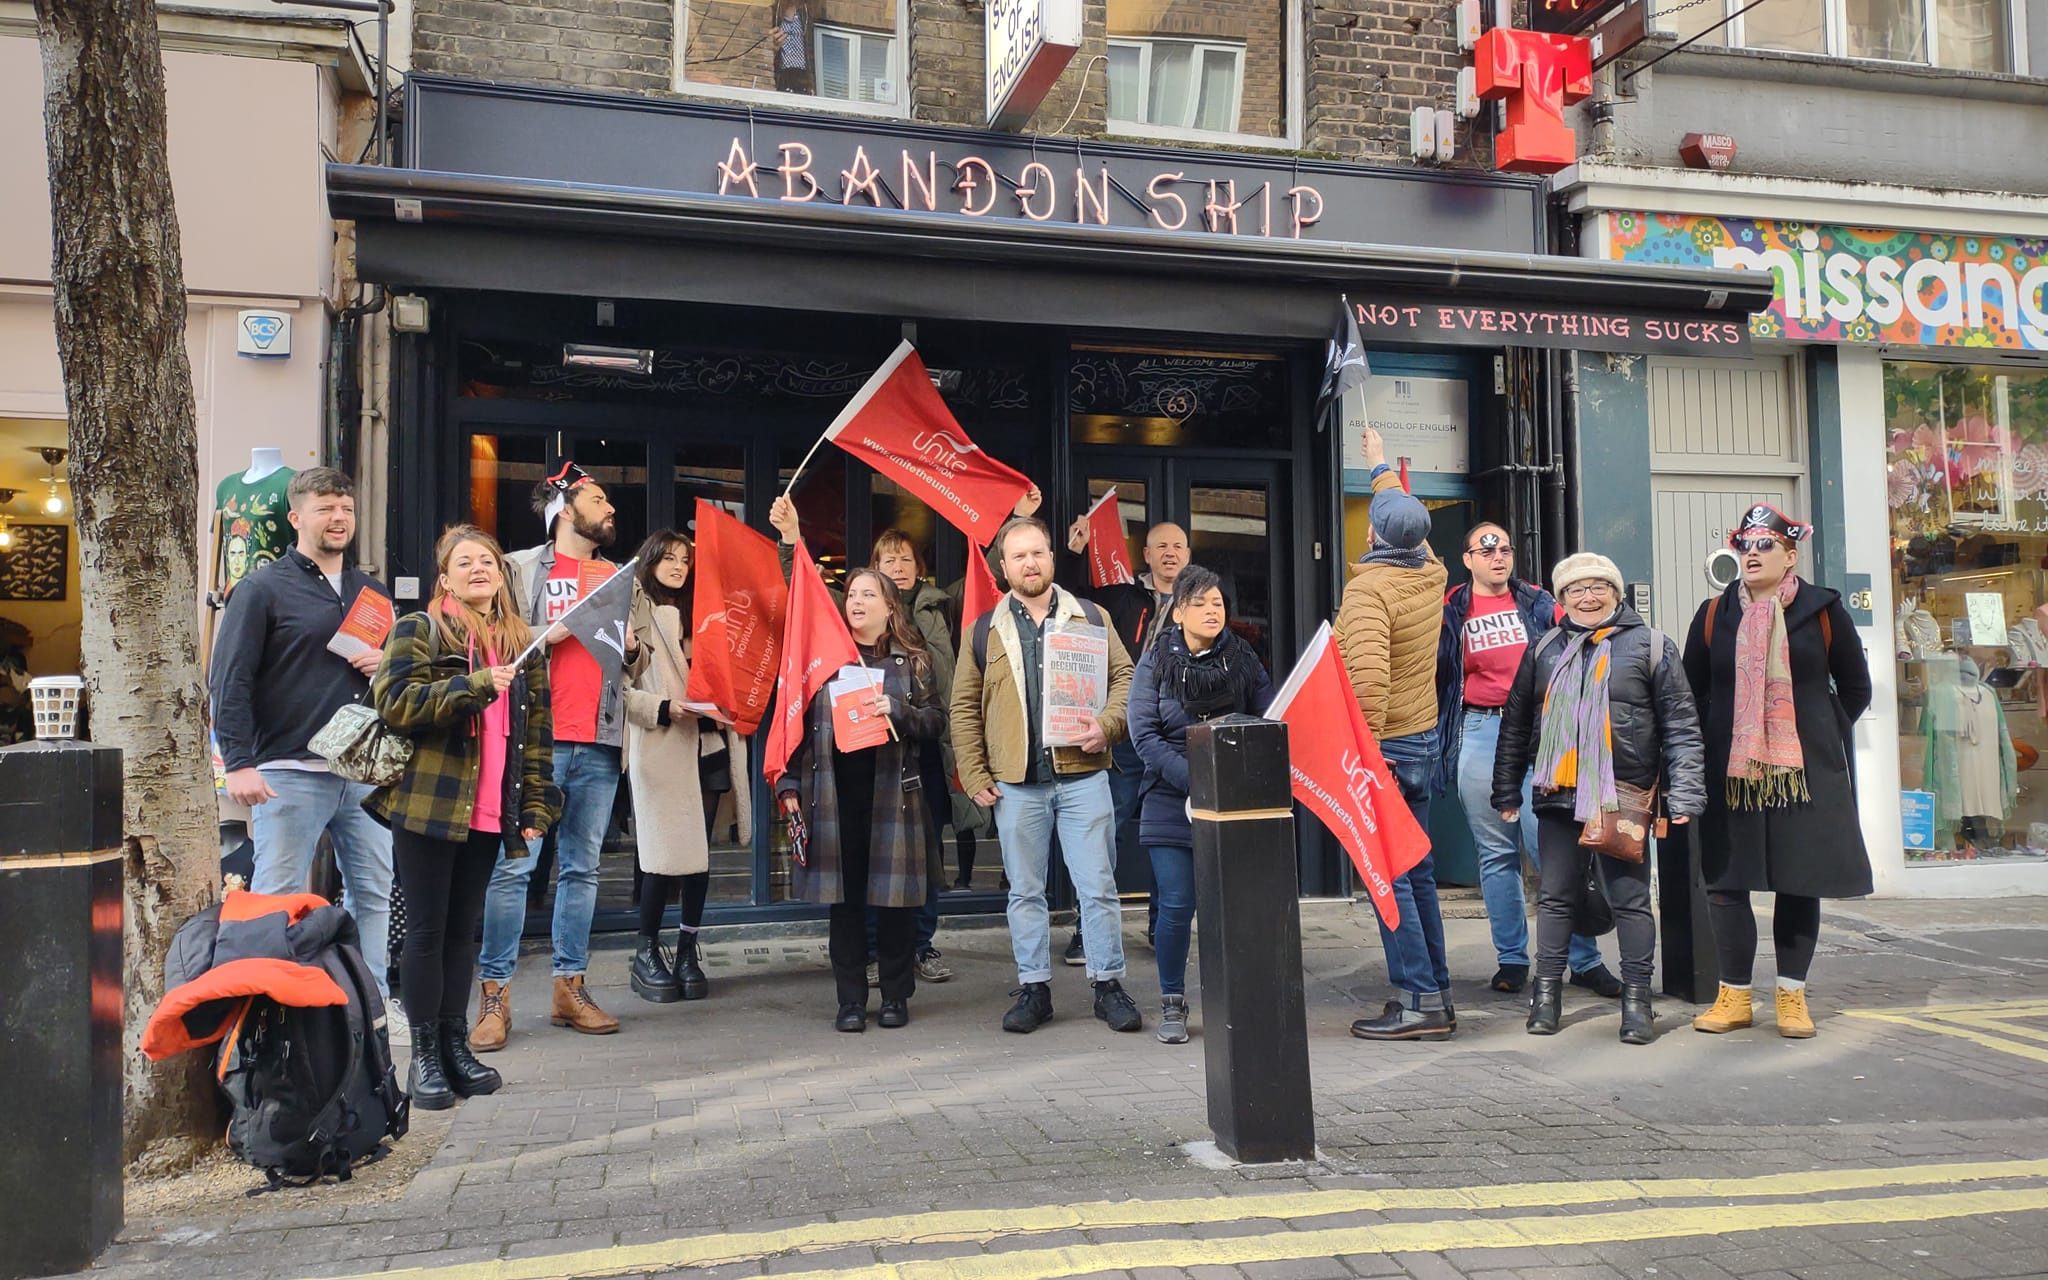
x=597, y=44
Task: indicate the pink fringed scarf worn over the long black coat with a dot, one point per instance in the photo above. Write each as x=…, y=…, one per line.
x=1766, y=765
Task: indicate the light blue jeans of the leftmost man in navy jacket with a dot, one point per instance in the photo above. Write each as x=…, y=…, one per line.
x=288, y=830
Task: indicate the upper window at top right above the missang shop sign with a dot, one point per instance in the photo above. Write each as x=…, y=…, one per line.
x=1971, y=36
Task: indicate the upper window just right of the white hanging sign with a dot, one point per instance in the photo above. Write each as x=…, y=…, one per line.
x=1193, y=71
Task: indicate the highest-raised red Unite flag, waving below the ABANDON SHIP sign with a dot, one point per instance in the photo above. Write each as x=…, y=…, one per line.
x=900, y=427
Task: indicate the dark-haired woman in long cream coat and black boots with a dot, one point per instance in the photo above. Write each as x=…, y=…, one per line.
x=681, y=767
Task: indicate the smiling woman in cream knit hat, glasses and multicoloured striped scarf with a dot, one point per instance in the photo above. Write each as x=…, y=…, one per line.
x=1598, y=706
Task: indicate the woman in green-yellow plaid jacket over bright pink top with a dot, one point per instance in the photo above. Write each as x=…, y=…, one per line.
x=480, y=783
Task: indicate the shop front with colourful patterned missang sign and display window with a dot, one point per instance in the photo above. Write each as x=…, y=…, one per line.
x=1918, y=376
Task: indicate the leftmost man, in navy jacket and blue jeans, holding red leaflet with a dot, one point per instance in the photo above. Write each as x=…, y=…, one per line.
x=275, y=683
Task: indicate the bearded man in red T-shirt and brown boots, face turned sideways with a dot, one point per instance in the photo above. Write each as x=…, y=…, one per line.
x=589, y=714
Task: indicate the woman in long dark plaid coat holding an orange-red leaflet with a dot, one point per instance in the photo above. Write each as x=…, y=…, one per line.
x=869, y=828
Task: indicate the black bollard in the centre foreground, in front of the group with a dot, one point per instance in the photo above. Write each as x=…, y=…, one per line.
x=1254, y=1019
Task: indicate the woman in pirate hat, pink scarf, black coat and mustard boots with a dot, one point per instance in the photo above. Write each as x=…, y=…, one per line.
x=1779, y=675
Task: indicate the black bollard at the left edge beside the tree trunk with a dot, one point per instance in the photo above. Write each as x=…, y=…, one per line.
x=60, y=1005
